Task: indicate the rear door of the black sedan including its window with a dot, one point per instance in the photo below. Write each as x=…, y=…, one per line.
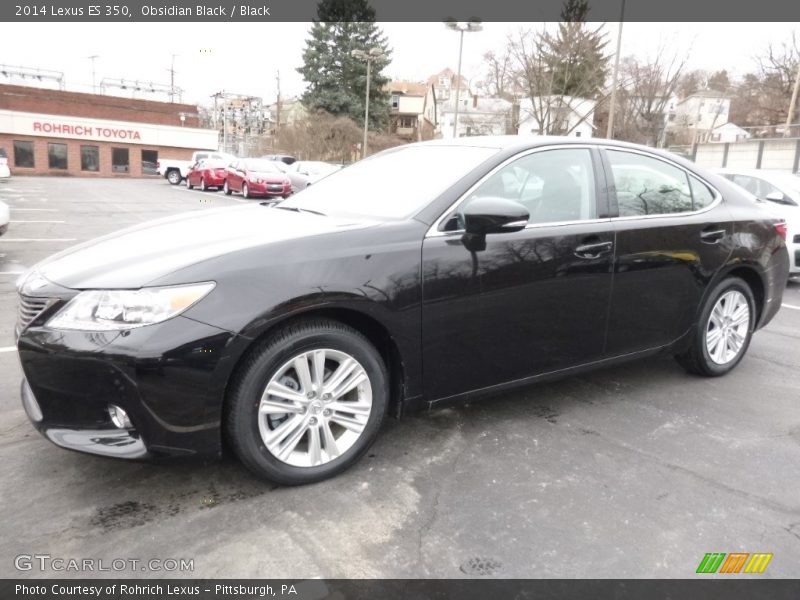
x=673, y=233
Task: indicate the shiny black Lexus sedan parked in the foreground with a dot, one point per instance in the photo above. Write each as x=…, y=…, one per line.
x=426, y=274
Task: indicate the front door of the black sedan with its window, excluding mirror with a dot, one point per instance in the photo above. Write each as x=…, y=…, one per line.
x=519, y=304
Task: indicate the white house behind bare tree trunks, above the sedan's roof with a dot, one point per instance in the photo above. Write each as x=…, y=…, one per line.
x=557, y=115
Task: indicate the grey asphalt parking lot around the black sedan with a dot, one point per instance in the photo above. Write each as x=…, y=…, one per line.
x=635, y=471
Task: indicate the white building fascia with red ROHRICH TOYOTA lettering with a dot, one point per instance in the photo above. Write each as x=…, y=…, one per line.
x=101, y=130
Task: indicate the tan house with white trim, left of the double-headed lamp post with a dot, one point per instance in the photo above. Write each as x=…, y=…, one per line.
x=412, y=110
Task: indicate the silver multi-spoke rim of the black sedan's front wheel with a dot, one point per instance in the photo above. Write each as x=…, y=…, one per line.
x=315, y=407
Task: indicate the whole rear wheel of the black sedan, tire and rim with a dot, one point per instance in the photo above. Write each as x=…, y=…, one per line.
x=704, y=357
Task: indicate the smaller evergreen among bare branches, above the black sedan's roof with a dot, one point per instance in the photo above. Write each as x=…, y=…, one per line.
x=575, y=54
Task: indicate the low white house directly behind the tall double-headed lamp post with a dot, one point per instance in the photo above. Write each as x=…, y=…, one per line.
x=477, y=115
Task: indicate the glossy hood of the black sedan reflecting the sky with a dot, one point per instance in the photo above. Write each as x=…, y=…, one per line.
x=135, y=256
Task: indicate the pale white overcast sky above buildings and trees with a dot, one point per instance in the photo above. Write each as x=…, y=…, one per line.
x=245, y=57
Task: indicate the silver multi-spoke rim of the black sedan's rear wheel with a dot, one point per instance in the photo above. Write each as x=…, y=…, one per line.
x=727, y=327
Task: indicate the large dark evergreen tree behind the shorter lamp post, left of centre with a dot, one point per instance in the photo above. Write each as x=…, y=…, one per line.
x=336, y=79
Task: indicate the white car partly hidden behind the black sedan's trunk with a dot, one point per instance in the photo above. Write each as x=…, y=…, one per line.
x=781, y=192
